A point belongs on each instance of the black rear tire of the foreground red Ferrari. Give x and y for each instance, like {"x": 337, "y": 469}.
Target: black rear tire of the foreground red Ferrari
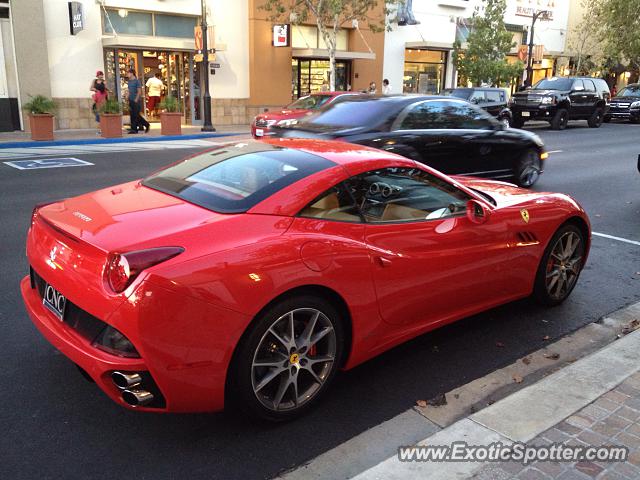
{"x": 242, "y": 380}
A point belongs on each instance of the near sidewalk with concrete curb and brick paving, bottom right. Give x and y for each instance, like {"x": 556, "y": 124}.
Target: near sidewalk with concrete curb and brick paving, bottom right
{"x": 592, "y": 401}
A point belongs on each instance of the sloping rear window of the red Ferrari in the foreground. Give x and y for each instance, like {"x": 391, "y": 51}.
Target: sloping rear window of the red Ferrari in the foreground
{"x": 234, "y": 178}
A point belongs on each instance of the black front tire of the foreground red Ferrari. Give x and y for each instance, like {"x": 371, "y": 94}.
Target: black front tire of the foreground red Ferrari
{"x": 542, "y": 289}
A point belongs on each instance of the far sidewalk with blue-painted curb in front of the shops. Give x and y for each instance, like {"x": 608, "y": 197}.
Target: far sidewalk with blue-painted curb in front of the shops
{"x": 73, "y": 137}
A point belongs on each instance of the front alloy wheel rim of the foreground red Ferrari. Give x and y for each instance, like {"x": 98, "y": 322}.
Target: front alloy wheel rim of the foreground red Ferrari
{"x": 564, "y": 265}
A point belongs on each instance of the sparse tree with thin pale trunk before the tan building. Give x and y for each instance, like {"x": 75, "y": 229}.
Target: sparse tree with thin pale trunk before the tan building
{"x": 330, "y": 16}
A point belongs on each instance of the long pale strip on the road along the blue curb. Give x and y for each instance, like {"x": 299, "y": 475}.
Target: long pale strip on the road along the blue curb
{"x": 32, "y": 152}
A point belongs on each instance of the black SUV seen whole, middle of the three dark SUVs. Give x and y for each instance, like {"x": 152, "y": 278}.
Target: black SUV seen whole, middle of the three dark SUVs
{"x": 558, "y": 100}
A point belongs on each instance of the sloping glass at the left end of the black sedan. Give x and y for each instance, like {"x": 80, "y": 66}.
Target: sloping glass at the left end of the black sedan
{"x": 354, "y": 113}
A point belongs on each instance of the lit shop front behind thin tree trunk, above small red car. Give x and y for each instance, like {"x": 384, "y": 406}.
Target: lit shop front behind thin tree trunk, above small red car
{"x": 312, "y": 75}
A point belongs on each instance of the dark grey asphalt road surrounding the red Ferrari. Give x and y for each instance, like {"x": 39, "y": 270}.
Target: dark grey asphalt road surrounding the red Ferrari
{"x": 56, "y": 425}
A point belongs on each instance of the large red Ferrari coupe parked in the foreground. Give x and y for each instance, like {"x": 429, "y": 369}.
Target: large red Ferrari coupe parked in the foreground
{"x": 251, "y": 273}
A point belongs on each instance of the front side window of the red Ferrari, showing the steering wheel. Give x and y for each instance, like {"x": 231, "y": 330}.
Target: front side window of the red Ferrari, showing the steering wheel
{"x": 404, "y": 194}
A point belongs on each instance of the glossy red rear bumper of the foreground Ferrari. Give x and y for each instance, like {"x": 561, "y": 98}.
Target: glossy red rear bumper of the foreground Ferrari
{"x": 185, "y": 352}
